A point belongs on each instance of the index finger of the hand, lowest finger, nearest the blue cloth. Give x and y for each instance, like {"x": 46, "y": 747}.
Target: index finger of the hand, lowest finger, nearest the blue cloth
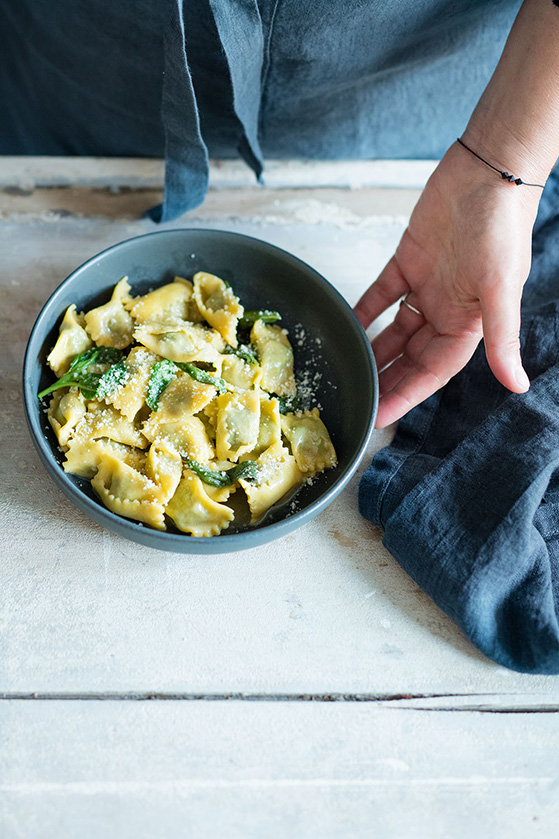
{"x": 429, "y": 362}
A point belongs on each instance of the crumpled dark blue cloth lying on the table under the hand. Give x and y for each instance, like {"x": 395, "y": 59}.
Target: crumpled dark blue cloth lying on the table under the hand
{"x": 467, "y": 494}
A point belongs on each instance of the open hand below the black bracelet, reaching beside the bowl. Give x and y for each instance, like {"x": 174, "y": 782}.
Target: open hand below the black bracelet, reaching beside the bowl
{"x": 463, "y": 259}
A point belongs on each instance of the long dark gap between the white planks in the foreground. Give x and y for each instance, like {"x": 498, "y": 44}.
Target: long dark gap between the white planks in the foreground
{"x": 483, "y": 703}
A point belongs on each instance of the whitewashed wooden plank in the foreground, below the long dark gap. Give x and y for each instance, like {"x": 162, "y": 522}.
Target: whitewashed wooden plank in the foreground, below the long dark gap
{"x": 243, "y": 770}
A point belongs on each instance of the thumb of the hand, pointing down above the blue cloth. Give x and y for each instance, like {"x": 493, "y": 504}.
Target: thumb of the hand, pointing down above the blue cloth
{"x": 500, "y": 308}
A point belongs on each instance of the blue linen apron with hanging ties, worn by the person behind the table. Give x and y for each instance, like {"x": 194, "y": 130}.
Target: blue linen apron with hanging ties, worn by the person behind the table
{"x": 278, "y": 78}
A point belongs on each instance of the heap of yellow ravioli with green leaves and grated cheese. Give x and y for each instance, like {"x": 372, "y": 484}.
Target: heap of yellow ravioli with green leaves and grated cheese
{"x": 191, "y": 418}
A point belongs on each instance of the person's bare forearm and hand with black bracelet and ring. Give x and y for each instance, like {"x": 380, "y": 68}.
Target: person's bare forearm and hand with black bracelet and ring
{"x": 466, "y": 253}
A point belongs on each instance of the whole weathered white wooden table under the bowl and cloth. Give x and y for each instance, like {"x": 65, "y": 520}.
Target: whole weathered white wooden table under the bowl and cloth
{"x": 307, "y": 688}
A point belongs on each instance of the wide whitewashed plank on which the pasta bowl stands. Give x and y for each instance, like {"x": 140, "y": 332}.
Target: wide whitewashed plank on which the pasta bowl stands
{"x": 325, "y": 610}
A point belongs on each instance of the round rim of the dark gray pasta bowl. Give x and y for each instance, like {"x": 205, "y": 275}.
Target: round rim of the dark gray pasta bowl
{"x": 169, "y": 541}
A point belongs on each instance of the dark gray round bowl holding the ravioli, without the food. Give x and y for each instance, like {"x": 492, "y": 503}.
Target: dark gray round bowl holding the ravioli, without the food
{"x": 263, "y": 276}
